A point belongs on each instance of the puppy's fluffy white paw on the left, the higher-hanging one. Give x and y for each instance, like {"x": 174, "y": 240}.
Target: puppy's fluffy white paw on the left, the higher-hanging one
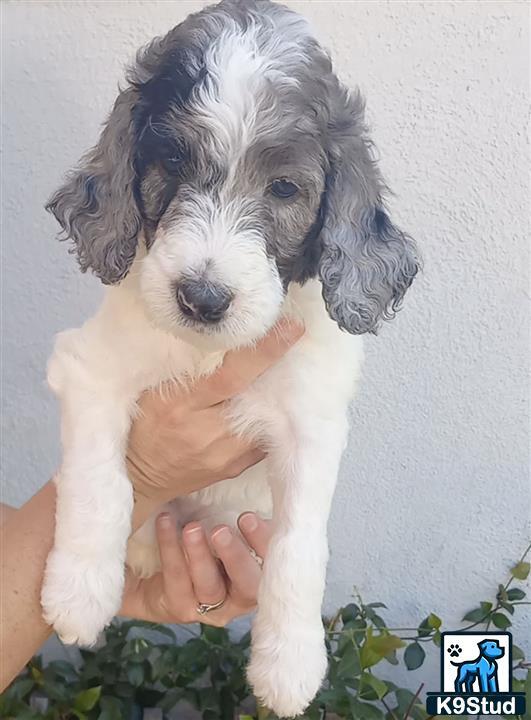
{"x": 81, "y": 595}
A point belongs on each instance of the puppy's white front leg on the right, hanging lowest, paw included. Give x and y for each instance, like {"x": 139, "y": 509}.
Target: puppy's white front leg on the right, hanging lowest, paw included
{"x": 288, "y": 660}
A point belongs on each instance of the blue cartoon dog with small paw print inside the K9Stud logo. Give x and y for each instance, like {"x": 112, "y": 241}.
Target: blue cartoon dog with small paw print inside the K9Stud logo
{"x": 484, "y": 668}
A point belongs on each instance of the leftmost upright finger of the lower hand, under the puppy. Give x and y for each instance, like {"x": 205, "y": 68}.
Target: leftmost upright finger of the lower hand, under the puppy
{"x": 173, "y": 563}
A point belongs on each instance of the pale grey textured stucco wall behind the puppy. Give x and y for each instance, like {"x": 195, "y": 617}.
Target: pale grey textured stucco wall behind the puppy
{"x": 434, "y": 498}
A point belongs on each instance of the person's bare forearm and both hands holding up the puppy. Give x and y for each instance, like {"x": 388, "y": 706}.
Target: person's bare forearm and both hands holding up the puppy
{"x": 179, "y": 443}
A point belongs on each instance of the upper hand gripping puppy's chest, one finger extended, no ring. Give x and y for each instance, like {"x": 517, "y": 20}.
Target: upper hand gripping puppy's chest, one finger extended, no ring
{"x": 180, "y": 442}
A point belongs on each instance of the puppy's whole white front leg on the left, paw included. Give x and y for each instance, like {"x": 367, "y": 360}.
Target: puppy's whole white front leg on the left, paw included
{"x": 84, "y": 575}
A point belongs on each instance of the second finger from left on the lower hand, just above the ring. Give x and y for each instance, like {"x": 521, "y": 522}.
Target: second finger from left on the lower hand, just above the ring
{"x": 207, "y": 579}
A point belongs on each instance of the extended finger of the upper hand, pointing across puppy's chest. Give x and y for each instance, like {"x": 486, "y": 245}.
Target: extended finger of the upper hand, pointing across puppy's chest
{"x": 241, "y": 367}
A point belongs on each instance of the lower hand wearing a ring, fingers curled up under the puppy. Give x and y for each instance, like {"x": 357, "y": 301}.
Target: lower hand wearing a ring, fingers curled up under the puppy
{"x": 191, "y": 574}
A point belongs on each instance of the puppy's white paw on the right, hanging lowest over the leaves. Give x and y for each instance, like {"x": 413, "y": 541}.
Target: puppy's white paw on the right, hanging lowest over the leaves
{"x": 288, "y": 665}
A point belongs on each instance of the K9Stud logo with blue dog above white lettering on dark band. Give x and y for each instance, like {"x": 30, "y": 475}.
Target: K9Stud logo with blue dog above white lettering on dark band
{"x": 476, "y": 676}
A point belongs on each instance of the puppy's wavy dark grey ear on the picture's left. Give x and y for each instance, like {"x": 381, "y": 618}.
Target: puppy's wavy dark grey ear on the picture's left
{"x": 96, "y": 206}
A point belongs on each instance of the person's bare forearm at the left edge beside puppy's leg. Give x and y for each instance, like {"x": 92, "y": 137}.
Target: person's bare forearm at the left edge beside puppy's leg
{"x": 25, "y": 540}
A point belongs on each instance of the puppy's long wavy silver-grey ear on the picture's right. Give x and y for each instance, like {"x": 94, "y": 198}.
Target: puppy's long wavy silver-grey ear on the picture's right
{"x": 366, "y": 264}
